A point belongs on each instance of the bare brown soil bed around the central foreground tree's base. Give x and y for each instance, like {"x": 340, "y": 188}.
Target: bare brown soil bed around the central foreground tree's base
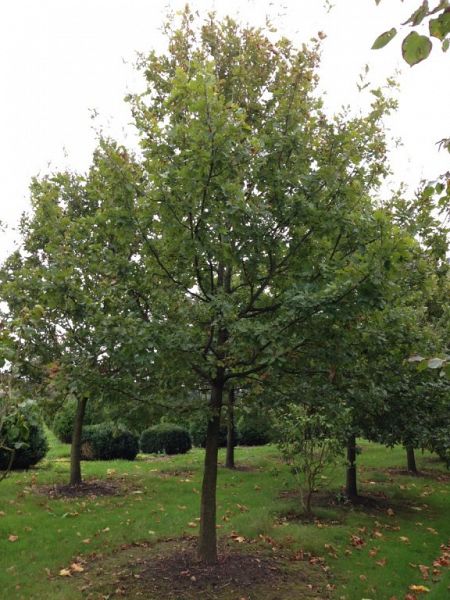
{"x": 170, "y": 570}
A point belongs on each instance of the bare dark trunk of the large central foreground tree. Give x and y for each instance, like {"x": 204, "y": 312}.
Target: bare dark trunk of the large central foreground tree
{"x": 207, "y": 547}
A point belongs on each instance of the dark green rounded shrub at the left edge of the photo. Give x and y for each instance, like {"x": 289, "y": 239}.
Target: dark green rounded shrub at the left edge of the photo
{"x": 24, "y": 433}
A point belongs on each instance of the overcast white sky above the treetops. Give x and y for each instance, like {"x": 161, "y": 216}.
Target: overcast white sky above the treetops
{"x": 61, "y": 58}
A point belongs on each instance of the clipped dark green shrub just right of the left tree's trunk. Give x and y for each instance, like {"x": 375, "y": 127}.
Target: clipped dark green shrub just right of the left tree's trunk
{"x": 105, "y": 442}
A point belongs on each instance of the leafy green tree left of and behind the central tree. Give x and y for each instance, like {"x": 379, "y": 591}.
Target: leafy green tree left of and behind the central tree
{"x": 65, "y": 293}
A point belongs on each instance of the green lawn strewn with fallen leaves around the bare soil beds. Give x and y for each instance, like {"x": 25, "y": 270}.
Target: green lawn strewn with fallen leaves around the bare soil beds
{"x": 161, "y": 500}
